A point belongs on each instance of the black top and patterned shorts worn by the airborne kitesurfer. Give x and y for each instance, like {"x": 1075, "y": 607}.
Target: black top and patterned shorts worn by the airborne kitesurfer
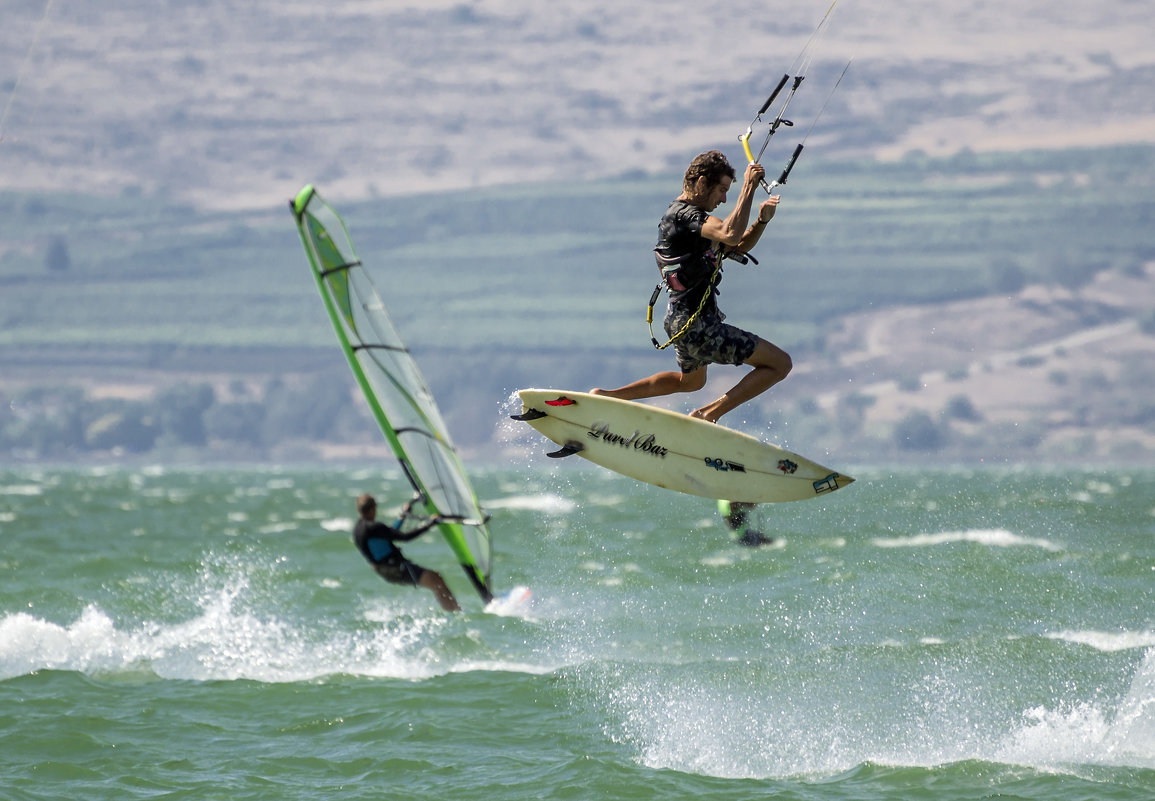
{"x": 691, "y": 272}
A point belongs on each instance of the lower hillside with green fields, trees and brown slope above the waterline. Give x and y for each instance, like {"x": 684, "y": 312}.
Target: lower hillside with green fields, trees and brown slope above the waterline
{"x": 972, "y": 308}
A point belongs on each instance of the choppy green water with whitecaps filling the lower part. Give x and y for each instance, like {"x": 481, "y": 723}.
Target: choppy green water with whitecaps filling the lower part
{"x": 923, "y": 634}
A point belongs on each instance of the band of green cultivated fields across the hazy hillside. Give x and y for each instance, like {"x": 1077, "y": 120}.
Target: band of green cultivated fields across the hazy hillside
{"x": 570, "y": 267}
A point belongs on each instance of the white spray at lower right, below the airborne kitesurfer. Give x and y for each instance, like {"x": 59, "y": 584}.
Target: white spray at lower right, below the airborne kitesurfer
{"x": 739, "y": 732}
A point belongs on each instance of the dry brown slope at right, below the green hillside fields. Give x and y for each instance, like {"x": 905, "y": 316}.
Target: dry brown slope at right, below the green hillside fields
{"x": 1071, "y": 366}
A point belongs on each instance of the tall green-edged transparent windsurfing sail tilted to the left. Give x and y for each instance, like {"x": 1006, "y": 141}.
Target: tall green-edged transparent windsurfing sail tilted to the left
{"x": 394, "y": 388}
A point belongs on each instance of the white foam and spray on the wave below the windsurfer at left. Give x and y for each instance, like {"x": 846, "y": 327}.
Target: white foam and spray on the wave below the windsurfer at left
{"x": 227, "y": 641}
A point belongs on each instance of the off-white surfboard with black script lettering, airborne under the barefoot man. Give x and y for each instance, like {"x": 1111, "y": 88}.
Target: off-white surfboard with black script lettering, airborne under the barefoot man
{"x": 673, "y": 451}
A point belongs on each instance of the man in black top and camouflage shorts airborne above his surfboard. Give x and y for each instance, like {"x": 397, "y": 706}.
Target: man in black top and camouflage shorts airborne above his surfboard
{"x": 690, "y": 249}
